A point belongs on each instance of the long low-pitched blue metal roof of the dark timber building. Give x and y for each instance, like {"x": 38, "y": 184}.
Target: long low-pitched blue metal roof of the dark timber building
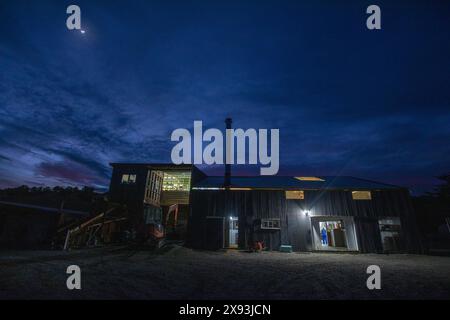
{"x": 281, "y": 182}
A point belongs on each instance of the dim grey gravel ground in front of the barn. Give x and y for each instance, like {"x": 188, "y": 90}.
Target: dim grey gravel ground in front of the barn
{"x": 180, "y": 273}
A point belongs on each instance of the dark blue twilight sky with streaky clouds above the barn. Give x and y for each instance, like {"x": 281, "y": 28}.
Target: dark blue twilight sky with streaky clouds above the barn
{"x": 373, "y": 104}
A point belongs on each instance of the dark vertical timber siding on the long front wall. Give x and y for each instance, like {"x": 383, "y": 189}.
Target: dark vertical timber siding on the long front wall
{"x": 295, "y": 229}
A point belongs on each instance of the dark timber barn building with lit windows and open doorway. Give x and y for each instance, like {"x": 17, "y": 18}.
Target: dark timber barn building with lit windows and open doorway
{"x": 322, "y": 213}
